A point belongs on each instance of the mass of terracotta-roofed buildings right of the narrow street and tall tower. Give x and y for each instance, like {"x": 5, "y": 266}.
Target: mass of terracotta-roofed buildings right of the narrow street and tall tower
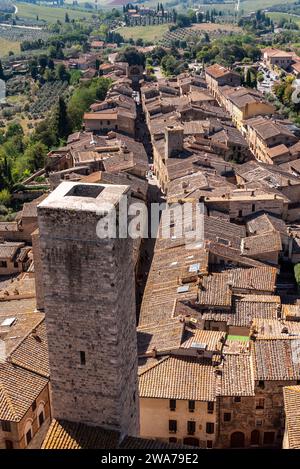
{"x": 218, "y": 332}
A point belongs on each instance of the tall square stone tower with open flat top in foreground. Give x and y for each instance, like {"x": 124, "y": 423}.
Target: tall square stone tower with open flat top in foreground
{"x": 89, "y": 297}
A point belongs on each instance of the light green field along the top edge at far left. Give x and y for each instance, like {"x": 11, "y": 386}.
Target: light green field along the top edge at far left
{"x": 49, "y": 14}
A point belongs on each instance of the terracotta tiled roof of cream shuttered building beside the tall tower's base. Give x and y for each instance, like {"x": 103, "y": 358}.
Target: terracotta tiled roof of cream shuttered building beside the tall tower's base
{"x": 179, "y": 378}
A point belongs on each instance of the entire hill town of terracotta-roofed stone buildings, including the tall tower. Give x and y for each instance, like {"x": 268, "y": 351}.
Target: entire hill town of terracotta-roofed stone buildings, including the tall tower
{"x": 213, "y": 359}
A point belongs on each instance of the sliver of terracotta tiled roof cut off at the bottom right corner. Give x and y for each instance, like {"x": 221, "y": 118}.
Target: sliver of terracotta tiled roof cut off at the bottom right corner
{"x": 291, "y": 396}
